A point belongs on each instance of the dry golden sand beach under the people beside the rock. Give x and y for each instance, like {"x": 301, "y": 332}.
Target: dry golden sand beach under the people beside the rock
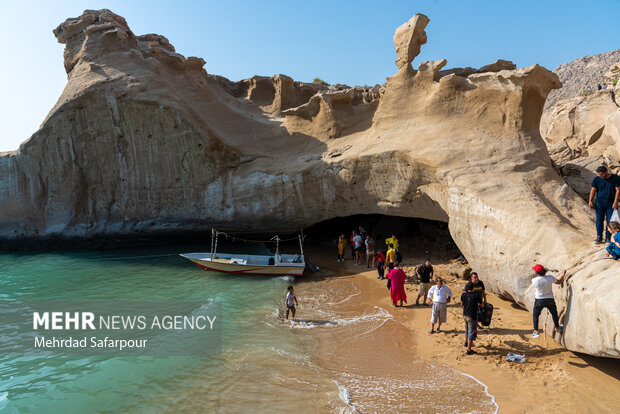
{"x": 552, "y": 378}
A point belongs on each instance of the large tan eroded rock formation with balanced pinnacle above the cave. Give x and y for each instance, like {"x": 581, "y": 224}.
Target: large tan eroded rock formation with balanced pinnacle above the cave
{"x": 143, "y": 140}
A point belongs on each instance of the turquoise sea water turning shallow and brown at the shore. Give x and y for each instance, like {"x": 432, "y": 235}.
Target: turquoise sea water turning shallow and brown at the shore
{"x": 325, "y": 361}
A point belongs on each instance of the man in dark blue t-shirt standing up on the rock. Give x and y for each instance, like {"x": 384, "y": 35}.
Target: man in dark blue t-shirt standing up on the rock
{"x": 606, "y": 188}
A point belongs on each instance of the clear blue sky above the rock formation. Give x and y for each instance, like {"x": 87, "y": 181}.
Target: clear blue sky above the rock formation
{"x": 340, "y": 41}
